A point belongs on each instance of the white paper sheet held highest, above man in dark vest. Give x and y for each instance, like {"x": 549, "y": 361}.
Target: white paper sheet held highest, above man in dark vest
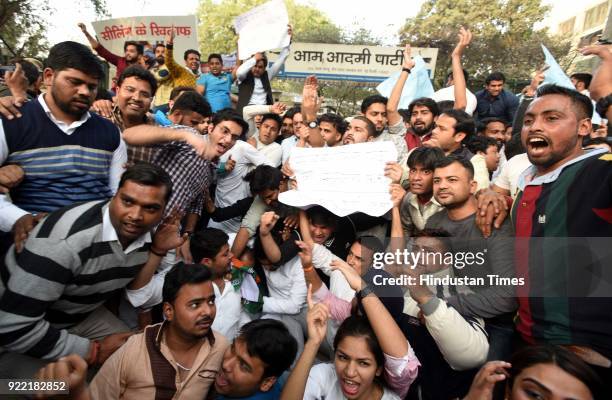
{"x": 262, "y": 28}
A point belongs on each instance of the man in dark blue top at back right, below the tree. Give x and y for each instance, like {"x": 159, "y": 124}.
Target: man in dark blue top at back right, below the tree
{"x": 495, "y": 101}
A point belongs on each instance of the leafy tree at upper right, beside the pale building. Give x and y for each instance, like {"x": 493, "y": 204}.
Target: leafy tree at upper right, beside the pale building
{"x": 505, "y": 38}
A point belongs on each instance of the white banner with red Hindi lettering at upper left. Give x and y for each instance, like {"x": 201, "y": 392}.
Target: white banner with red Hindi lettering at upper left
{"x": 113, "y": 33}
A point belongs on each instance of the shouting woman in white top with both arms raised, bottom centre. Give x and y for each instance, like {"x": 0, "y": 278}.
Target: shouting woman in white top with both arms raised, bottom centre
{"x": 372, "y": 358}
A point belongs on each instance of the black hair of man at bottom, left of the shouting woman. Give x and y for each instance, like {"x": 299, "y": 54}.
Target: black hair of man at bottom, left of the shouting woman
{"x": 271, "y": 342}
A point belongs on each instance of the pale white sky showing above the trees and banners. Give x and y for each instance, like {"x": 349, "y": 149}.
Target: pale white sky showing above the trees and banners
{"x": 384, "y": 20}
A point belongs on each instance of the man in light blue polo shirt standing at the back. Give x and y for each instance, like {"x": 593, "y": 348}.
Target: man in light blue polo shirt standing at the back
{"x": 216, "y": 85}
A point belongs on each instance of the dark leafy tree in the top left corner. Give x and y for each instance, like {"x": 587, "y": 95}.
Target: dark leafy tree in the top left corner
{"x": 23, "y": 29}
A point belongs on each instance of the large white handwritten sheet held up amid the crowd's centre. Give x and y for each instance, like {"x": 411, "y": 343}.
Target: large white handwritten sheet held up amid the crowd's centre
{"x": 344, "y": 179}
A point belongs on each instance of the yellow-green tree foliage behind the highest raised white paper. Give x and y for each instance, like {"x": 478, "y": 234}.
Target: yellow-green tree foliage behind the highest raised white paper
{"x": 216, "y": 24}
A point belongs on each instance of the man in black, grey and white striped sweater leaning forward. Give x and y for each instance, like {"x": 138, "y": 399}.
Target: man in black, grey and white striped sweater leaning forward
{"x": 52, "y": 293}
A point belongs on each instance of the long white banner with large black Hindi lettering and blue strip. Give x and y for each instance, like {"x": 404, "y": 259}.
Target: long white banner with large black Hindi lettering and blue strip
{"x": 350, "y": 62}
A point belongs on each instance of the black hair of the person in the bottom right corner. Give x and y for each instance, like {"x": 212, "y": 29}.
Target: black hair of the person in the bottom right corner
{"x": 559, "y": 356}
